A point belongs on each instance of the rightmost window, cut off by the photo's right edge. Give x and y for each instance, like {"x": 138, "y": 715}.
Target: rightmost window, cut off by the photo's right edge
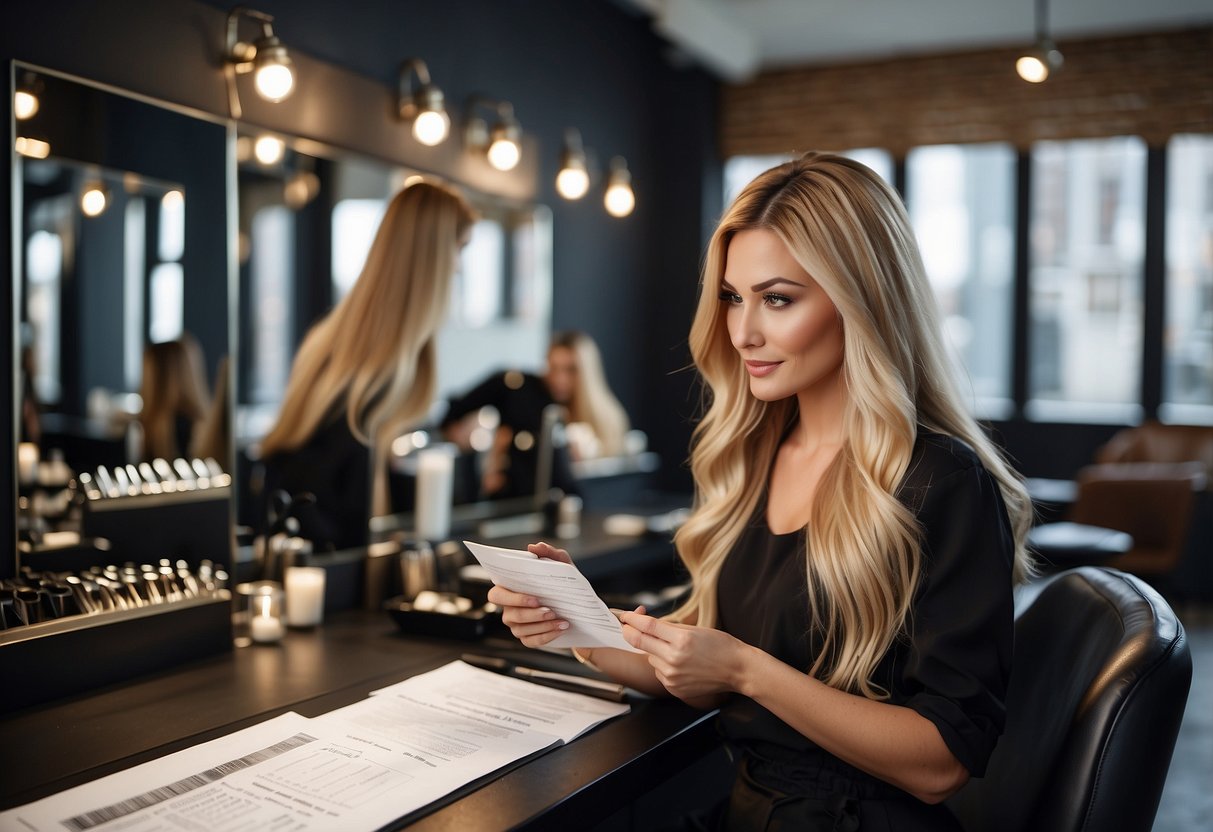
{"x": 1188, "y": 340}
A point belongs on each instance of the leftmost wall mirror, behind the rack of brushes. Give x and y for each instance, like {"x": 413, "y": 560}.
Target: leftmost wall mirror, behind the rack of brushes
{"x": 122, "y": 307}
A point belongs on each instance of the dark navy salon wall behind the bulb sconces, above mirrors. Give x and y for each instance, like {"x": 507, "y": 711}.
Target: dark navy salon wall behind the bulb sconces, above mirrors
{"x": 631, "y": 283}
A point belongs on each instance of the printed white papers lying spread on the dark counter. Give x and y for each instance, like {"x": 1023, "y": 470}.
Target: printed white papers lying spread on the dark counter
{"x": 358, "y": 768}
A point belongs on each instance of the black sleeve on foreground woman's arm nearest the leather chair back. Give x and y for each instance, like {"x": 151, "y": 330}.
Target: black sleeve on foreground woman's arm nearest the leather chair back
{"x": 963, "y": 624}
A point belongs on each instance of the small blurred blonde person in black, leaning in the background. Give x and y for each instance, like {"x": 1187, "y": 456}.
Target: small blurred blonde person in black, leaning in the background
{"x": 576, "y": 384}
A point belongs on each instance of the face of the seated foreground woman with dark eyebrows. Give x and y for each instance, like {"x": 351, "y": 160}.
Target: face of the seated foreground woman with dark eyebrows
{"x": 782, "y": 323}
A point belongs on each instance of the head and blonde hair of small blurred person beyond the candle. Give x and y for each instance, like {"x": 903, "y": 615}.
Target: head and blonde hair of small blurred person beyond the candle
{"x": 577, "y": 380}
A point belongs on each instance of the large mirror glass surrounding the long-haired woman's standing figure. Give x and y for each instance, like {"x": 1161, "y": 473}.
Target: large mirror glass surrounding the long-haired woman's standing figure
{"x": 307, "y": 216}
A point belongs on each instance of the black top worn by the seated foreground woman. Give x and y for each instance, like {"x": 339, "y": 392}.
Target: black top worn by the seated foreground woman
{"x": 955, "y": 665}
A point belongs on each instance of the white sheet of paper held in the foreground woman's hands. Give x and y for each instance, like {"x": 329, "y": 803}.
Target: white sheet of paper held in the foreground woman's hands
{"x": 561, "y": 588}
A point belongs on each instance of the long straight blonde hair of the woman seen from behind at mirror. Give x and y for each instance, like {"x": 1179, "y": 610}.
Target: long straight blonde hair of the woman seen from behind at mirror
{"x": 373, "y": 356}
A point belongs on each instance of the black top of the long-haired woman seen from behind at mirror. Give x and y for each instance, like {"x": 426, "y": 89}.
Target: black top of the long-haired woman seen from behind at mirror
{"x": 335, "y": 468}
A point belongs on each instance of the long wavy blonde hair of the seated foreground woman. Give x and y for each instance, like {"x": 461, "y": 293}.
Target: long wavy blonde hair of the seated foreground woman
{"x": 850, "y": 231}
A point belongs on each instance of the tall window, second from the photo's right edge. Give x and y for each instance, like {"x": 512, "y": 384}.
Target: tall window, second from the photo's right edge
{"x": 1087, "y": 240}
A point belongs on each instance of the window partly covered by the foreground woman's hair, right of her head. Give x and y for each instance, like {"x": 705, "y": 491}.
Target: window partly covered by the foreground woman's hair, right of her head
{"x": 963, "y": 207}
